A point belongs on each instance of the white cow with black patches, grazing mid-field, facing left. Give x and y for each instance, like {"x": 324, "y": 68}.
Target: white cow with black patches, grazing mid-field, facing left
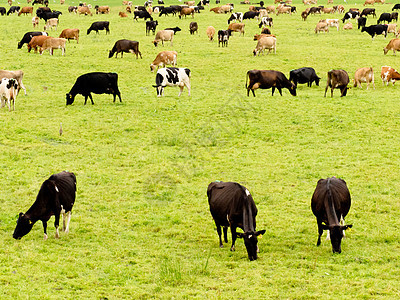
{"x": 172, "y": 76}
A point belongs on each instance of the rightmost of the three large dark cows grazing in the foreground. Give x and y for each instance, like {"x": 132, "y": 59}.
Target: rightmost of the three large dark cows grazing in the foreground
{"x": 330, "y": 204}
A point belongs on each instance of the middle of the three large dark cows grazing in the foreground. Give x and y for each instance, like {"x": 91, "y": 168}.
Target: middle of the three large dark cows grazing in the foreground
{"x": 231, "y": 205}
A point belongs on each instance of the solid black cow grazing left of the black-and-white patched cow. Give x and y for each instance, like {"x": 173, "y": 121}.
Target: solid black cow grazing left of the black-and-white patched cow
{"x": 96, "y": 82}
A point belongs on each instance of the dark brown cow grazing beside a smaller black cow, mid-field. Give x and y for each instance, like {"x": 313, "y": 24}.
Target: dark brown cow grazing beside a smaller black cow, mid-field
{"x": 266, "y": 79}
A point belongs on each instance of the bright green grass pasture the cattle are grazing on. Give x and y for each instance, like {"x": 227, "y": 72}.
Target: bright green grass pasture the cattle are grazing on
{"x": 141, "y": 226}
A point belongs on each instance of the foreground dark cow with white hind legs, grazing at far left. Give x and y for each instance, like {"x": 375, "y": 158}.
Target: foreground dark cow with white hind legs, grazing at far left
{"x": 56, "y": 195}
